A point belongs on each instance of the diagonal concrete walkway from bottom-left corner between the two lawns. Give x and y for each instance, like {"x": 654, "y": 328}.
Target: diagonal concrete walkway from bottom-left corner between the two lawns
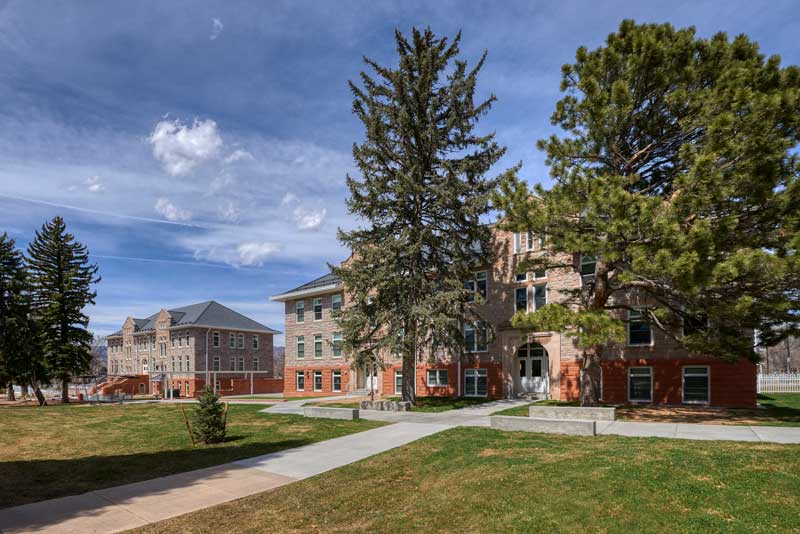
{"x": 134, "y": 505}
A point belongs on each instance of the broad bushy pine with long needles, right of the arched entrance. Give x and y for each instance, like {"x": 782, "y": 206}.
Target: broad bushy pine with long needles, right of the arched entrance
{"x": 676, "y": 171}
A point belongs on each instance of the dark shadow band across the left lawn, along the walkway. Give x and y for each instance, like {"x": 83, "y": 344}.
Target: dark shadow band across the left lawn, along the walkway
{"x": 28, "y": 481}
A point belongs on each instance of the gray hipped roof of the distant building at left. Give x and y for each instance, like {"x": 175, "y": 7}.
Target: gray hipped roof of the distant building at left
{"x": 211, "y": 313}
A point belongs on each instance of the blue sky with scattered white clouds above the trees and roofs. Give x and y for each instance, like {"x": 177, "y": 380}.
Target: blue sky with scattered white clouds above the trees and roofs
{"x": 200, "y": 149}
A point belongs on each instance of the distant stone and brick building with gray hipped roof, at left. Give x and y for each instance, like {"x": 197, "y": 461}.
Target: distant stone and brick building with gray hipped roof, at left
{"x": 182, "y": 347}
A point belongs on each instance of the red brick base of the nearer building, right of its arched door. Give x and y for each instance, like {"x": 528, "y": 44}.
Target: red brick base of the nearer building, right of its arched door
{"x": 732, "y": 384}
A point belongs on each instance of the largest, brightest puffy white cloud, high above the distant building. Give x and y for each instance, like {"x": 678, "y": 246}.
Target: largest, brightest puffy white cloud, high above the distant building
{"x": 180, "y": 148}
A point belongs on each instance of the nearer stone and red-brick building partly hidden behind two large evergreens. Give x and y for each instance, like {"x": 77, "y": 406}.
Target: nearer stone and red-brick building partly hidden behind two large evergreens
{"x": 650, "y": 367}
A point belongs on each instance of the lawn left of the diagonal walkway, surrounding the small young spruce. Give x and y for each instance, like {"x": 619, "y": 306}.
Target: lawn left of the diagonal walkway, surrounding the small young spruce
{"x": 66, "y": 450}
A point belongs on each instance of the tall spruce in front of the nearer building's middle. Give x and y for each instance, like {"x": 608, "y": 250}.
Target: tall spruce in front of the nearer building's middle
{"x": 421, "y": 193}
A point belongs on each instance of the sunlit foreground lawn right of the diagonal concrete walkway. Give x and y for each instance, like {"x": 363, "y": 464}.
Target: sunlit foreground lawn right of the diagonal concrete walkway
{"x": 482, "y": 480}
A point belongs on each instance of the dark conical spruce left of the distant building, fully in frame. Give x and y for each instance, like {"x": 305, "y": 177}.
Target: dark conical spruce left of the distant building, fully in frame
{"x": 61, "y": 278}
